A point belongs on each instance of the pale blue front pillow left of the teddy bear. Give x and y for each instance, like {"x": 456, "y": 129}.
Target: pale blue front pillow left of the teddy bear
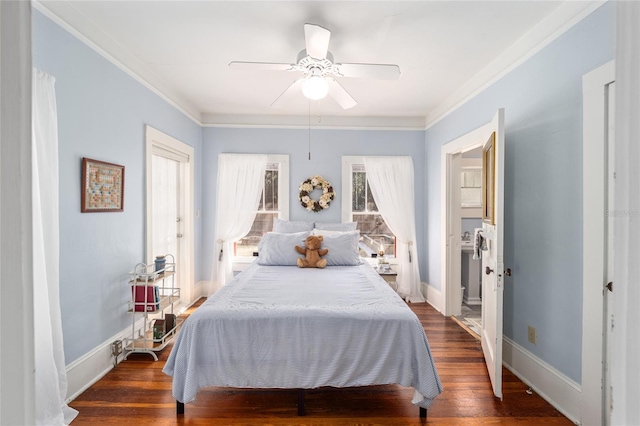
{"x": 278, "y": 249}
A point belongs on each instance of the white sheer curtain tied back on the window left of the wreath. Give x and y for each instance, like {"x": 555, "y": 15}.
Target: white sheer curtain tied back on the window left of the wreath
{"x": 240, "y": 183}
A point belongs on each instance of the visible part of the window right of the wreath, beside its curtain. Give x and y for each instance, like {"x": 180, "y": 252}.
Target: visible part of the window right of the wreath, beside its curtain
{"x": 360, "y": 206}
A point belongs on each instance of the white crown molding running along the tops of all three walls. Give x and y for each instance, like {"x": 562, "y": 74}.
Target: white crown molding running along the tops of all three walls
{"x": 564, "y": 17}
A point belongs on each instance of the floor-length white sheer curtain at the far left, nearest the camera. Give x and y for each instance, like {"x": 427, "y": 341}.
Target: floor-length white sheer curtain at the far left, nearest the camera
{"x": 51, "y": 376}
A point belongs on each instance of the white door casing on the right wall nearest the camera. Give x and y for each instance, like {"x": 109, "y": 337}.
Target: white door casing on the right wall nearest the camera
{"x": 598, "y": 140}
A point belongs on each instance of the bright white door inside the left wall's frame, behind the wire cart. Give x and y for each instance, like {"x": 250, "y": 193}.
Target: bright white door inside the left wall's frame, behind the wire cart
{"x": 166, "y": 212}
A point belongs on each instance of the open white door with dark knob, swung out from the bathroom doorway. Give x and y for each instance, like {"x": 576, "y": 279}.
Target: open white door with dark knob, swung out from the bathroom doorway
{"x": 492, "y": 261}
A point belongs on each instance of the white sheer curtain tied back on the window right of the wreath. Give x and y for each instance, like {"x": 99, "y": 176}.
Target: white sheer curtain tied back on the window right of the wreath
{"x": 392, "y": 186}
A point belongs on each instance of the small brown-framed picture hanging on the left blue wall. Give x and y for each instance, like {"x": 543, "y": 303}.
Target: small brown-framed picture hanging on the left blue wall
{"x": 102, "y": 187}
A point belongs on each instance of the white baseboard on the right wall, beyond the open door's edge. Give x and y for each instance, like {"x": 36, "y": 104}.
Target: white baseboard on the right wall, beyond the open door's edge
{"x": 553, "y": 386}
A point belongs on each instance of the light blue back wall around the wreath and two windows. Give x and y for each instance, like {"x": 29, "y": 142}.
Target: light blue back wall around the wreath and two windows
{"x": 327, "y": 149}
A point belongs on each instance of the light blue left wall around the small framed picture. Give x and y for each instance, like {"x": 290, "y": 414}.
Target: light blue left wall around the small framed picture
{"x": 101, "y": 114}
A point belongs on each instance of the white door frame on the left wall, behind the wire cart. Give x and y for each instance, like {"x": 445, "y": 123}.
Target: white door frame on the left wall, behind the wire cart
{"x": 159, "y": 141}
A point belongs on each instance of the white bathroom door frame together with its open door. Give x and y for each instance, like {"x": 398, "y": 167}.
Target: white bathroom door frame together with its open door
{"x": 491, "y": 138}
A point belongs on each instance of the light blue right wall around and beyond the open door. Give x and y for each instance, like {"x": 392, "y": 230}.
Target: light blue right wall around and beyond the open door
{"x": 543, "y": 187}
